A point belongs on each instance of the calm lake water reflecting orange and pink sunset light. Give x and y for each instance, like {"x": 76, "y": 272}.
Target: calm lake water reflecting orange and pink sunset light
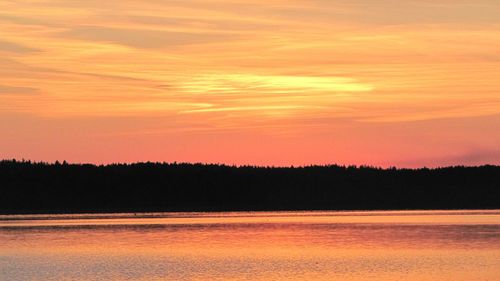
{"x": 416, "y": 245}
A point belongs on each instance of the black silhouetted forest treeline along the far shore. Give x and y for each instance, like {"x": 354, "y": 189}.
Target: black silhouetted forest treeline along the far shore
{"x": 27, "y": 187}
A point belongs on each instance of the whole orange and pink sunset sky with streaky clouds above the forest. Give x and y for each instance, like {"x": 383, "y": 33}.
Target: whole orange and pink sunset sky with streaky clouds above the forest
{"x": 401, "y": 83}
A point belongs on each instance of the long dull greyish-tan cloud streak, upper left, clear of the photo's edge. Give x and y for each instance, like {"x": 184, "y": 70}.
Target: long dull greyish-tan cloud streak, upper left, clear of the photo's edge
{"x": 144, "y": 38}
